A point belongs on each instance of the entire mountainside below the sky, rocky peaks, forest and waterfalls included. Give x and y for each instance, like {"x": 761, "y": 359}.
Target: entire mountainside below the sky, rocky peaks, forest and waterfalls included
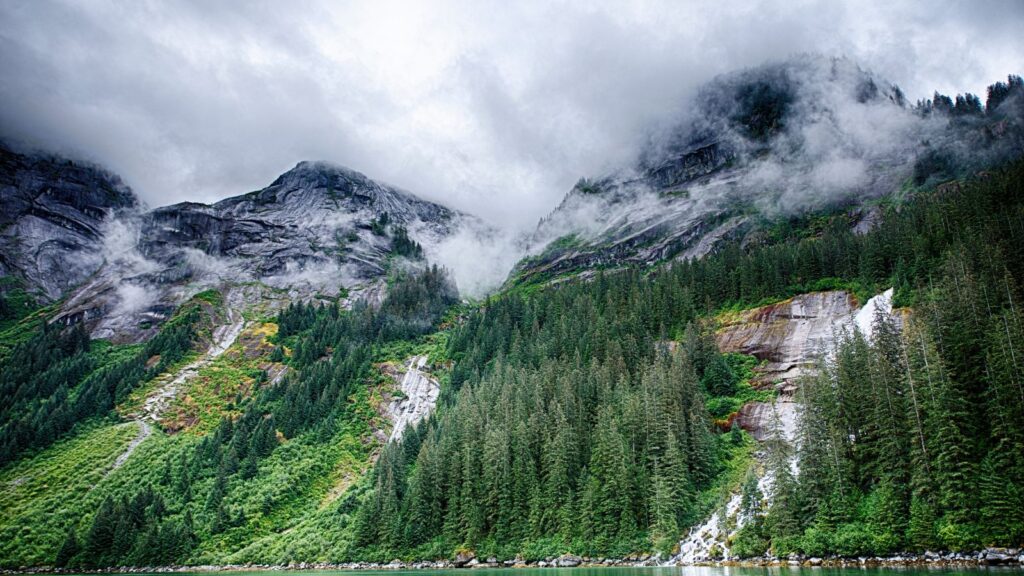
{"x": 792, "y": 331}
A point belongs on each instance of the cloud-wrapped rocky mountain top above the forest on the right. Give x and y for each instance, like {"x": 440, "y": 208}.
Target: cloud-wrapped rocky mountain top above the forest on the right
{"x": 779, "y": 141}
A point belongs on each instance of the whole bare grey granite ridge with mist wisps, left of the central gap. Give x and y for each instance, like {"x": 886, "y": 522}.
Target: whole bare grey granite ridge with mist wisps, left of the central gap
{"x": 78, "y": 234}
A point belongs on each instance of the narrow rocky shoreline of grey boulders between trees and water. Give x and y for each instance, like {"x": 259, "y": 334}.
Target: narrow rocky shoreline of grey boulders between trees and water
{"x": 989, "y": 557}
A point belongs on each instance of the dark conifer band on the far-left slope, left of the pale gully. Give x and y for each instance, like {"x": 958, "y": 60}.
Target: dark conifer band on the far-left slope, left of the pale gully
{"x": 56, "y": 380}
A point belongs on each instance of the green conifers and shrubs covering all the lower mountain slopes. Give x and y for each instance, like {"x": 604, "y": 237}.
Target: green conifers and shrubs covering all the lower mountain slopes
{"x": 578, "y": 418}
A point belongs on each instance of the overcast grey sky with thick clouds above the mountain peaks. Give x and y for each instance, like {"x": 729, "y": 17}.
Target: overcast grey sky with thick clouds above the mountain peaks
{"x": 492, "y": 108}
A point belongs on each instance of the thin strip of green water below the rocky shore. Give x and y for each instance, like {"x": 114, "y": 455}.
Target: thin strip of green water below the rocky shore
{"x": 668, "y": 571}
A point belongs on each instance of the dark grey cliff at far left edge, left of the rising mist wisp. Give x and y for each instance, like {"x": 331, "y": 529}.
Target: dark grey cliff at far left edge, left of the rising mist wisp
{"x": 53, "y": 215}
